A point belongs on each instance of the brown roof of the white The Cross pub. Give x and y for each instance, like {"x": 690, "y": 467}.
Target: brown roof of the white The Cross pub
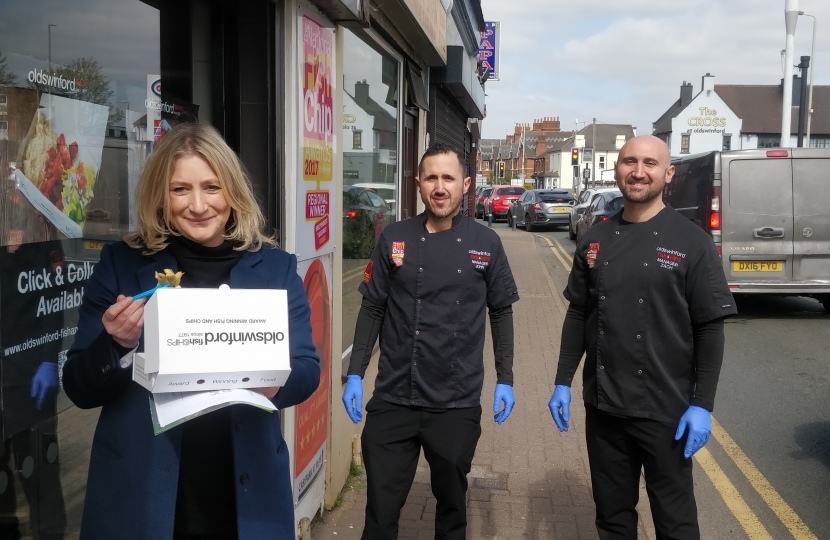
{"x": 759, "y": 106}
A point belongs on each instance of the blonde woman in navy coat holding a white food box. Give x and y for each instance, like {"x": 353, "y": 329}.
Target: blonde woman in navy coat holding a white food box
{"x": 223, "y": 475}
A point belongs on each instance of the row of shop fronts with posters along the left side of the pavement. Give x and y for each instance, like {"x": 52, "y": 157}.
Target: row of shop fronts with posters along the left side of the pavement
{"x": 329, "y": 104}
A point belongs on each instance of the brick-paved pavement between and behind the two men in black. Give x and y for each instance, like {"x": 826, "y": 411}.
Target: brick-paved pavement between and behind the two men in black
{"x": 527, "y": 479}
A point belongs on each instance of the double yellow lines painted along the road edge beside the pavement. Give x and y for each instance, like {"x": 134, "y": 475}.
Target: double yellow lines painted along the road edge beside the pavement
{"x": 733, "y": 499}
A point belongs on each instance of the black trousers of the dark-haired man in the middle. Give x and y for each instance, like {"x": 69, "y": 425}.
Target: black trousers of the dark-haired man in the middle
{"x": 392, "y": 441}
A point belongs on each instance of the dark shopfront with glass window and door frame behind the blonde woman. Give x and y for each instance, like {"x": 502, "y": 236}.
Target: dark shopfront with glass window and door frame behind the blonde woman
{"x": 84, "y": 95}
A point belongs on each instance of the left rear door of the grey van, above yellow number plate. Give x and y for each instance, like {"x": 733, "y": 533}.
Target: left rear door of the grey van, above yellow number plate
{"x": 757, "y": 220}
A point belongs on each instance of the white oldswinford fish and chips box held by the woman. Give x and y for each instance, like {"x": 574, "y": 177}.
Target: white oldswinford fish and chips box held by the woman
{"x": 214, "y": 339}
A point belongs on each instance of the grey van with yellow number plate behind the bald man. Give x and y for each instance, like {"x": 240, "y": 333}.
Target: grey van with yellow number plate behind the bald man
{"x": 767, "y": 210}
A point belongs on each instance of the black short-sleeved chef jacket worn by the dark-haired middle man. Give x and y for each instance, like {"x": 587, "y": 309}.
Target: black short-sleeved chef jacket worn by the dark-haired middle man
{"x": 435, "y": 287}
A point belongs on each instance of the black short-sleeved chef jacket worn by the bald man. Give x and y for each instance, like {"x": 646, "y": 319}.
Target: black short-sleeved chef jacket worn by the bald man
{"x": 643, "y": 286}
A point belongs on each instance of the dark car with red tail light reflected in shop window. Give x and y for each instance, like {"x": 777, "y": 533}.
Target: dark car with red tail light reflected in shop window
{"x": 365, "y": 214}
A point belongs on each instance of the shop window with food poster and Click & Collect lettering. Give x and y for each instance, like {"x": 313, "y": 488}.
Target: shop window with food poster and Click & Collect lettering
{"x": 76, "y": 127}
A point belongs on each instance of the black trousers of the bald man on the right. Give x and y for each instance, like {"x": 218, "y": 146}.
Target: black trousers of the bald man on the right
{"x": 617, "y": 450}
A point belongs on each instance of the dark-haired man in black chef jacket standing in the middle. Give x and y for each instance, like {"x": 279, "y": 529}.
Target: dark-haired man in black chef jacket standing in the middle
{"x": 424, "y": 292}
